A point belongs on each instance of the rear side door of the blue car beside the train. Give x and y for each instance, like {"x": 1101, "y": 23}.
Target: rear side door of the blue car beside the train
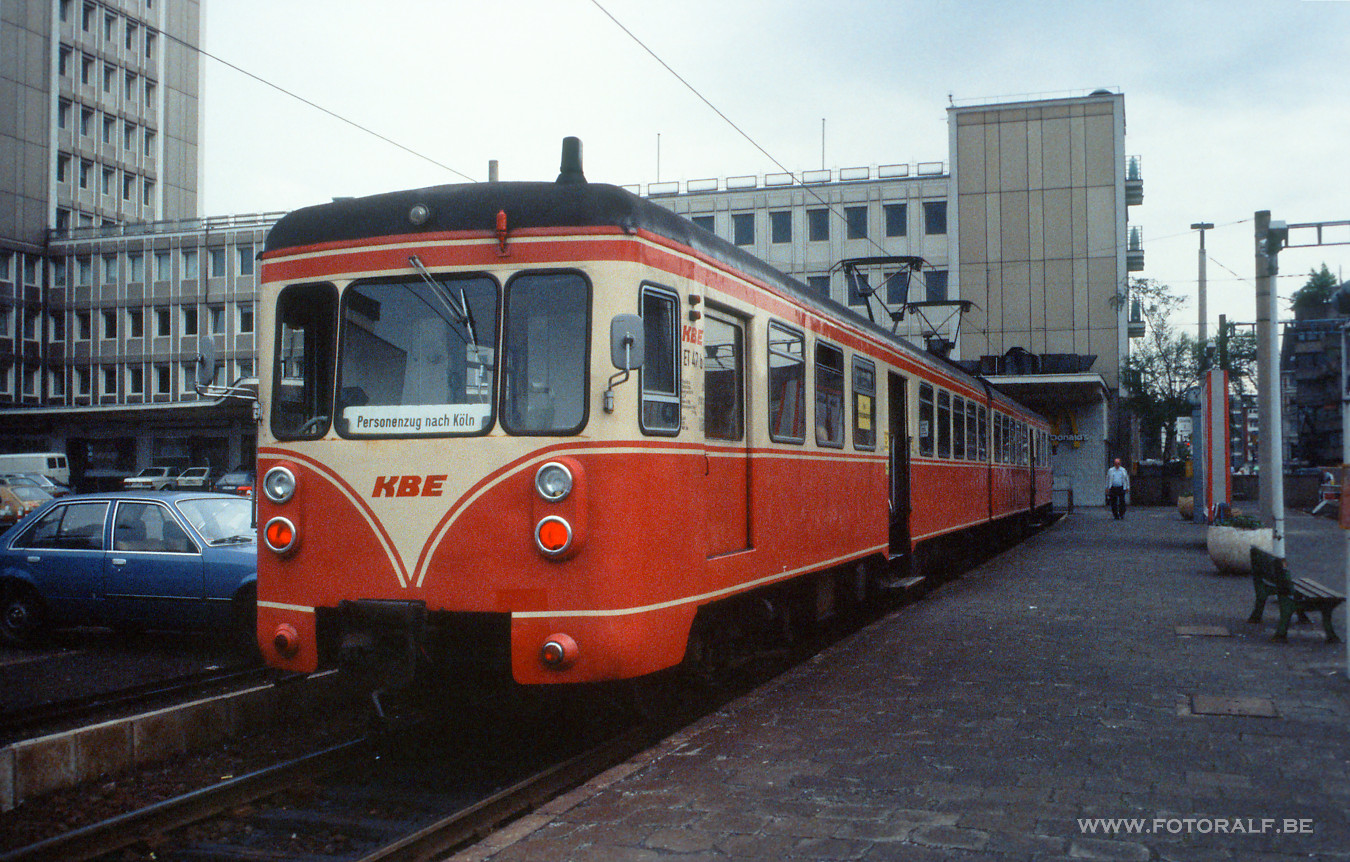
{"x": 63, "y": 554}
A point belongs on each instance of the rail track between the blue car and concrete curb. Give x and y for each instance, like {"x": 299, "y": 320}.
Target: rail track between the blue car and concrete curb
{"x": 61, "y": 716}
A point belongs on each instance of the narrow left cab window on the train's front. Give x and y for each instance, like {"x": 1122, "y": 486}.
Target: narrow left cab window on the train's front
{"x": 303, "y": 370}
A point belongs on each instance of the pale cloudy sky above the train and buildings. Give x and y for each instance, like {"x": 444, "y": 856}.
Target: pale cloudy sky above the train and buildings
{"x": 1233, "y": 106}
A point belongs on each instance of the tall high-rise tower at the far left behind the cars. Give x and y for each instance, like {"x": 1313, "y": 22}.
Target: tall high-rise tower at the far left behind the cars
{"x": 101, "y": 113}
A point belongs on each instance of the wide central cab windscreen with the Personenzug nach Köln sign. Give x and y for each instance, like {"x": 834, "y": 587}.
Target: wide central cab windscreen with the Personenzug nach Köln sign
{"x": 419, "y": 357}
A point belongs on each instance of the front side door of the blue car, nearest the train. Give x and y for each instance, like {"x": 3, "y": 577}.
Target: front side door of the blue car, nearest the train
{"x": 155, "y": 575}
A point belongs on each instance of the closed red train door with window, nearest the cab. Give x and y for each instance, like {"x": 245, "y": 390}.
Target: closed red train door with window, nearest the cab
{"x": 727, "y": 455}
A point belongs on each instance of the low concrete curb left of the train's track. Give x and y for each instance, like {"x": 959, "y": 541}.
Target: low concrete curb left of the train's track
{"x": 36, "y": 767}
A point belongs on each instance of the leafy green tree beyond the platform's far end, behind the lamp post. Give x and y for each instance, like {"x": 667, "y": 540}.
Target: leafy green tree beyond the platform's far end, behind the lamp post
{"x": 1162, "y": 369}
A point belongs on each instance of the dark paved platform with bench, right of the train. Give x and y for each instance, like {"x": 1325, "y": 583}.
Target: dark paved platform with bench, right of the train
{"x": 1093, "y": 694}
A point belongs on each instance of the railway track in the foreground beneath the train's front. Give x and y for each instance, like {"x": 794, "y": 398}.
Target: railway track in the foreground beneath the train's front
{"x": 342, "y": 803}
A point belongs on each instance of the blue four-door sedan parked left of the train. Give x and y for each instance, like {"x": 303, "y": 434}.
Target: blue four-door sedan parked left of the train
{"x": 133, "y": 562}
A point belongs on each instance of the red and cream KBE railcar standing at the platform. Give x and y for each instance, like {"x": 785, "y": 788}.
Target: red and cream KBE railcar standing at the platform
{"x": 452, "y": 466}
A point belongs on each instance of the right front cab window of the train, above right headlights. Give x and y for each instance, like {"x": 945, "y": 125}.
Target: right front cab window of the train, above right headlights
{"x": 545, "y": 354}
